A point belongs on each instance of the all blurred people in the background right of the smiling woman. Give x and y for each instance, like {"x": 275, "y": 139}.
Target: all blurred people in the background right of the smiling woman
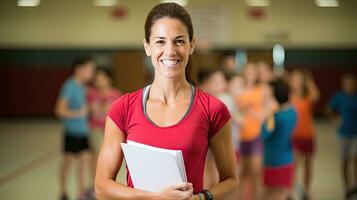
{"x": 273, "y": 131}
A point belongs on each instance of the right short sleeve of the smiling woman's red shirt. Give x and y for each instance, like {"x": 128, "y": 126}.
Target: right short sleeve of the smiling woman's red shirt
{"x": 218, "y": 115}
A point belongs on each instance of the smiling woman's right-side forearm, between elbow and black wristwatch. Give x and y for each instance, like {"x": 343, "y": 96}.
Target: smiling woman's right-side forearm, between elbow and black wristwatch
{"x": 223, "y": 189}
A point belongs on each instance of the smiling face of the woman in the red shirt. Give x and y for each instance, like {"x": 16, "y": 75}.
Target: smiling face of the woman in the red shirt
{"x": 169, "y": 47}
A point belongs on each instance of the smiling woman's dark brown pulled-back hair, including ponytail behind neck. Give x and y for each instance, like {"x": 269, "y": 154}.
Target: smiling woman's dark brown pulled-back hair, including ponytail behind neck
{"x": 175, "y": 11}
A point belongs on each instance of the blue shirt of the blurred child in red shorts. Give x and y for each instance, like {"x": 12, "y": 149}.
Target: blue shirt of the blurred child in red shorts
{"x": 278, "y": 149}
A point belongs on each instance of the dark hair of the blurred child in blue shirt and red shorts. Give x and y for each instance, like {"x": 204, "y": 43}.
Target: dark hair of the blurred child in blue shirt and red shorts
{"x": 281, "y": 90}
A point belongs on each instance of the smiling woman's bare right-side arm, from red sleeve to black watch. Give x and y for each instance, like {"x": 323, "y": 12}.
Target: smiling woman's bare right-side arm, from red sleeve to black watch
{"x": 222, "y": 148}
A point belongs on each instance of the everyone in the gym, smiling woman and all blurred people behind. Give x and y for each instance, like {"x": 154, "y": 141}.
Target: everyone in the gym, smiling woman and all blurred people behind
{"x": 252, "y": 125}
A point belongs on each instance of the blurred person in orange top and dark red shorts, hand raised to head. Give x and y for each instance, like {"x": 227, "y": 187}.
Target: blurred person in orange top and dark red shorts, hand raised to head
{"x": 304, "y": 94}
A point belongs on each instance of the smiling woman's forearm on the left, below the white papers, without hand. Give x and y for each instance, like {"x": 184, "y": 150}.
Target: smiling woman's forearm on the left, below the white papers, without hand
{"x": 109, "y": 189}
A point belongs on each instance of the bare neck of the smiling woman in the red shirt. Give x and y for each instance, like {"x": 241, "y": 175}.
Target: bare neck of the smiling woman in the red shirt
{"x": 169, "y": 90}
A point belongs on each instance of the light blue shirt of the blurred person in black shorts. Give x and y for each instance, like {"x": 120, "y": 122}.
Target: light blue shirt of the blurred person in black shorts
{"x": 75, "y": 94}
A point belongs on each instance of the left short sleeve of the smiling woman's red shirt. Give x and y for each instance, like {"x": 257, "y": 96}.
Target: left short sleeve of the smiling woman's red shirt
{"x": 118, "y": 112}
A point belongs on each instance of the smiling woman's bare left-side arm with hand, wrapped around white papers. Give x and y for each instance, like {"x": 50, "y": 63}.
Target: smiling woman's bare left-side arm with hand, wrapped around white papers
{"x": 109, "y": 161}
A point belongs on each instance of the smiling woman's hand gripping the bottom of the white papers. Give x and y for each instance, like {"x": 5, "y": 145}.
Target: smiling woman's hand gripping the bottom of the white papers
{"x": 183, "y": 191}
